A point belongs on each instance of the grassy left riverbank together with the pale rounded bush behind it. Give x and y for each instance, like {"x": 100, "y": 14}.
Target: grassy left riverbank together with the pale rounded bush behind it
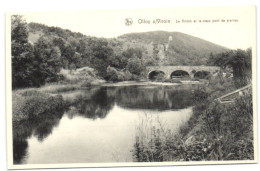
{"x": 32, "y": 102}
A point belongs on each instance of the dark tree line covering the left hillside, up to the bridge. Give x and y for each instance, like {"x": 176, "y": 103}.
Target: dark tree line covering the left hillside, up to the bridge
{"x": 39, "y": 62}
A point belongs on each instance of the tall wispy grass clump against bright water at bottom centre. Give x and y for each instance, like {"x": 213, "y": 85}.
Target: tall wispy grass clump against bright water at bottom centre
{"x": 153, "y": 140}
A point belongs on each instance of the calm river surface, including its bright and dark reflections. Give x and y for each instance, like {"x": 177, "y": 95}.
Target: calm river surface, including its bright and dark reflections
{"x": 100, "y": 125}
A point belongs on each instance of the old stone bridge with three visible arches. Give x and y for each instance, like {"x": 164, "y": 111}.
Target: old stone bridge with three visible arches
{"x": 181, "y": 71}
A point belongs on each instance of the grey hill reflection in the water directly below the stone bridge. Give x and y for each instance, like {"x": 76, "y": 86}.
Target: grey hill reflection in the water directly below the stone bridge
{"x": 159, "y": 98}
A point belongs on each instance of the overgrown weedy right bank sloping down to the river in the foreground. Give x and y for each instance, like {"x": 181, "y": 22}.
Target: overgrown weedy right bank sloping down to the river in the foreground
{"x": 215, "y": 131}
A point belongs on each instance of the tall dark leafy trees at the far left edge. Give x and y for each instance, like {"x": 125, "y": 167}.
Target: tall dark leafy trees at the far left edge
{"x": 32, "y": 65}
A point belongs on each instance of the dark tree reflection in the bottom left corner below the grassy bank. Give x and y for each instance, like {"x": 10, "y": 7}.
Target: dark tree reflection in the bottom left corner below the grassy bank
{"x": 40, "y": 126}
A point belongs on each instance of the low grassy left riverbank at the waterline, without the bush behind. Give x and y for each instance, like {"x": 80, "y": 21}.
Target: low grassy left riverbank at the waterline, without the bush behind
{"x": 31, "y": 102}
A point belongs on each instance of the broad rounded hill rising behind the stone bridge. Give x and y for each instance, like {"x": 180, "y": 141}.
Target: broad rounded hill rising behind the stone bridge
{"x": 173, "y": 48}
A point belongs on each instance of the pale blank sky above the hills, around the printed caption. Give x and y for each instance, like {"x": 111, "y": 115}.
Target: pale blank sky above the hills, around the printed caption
{"x": 109, "y": 24}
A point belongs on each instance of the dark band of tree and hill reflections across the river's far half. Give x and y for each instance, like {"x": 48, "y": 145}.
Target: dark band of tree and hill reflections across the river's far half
{"x": 103, "y": 99}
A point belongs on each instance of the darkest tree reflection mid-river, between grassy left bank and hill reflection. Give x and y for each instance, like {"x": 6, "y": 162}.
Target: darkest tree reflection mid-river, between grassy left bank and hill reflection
{"x": 95, "y": 107}
